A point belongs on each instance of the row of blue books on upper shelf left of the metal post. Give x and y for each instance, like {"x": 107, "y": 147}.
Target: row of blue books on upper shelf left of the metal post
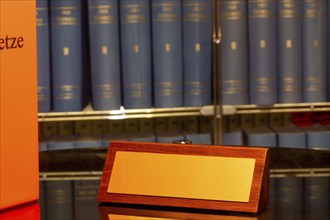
{"x": 130, "y": 53}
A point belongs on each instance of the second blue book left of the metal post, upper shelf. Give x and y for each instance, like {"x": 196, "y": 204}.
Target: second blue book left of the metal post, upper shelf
{"x": 167, "y": 53}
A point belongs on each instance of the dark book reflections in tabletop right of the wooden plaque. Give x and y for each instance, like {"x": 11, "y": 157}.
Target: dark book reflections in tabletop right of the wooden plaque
{"x": 294, "y": 197}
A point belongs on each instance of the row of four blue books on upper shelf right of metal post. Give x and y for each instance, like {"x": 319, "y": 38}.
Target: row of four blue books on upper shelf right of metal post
{"x": 275, "y": 51}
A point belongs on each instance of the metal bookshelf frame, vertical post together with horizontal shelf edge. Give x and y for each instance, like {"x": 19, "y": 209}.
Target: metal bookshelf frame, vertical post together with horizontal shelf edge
{"x": 216, "y": 111}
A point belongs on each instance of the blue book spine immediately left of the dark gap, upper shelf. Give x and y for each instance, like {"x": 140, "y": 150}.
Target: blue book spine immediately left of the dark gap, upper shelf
{"x": 67, "y": 54}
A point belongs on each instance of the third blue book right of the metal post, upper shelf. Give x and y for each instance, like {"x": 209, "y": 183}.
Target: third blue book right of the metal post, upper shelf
{"x": 289, "y": 51}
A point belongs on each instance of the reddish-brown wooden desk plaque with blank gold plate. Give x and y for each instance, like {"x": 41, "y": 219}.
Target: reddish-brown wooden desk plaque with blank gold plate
{"x": 191, "y": 176}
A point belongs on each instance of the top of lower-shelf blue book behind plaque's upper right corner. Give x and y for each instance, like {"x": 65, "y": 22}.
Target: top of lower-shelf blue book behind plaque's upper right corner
{"x": 261, "y": 137}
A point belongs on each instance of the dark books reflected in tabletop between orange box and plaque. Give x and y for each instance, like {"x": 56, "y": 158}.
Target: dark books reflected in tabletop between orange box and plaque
{"x": 67, "y": 199}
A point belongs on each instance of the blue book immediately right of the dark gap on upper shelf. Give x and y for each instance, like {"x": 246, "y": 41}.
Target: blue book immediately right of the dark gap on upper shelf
{"x": 104, "y": 54}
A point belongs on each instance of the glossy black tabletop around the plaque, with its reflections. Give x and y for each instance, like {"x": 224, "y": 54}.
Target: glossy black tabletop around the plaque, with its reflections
{"x": 292, "y": 195}
